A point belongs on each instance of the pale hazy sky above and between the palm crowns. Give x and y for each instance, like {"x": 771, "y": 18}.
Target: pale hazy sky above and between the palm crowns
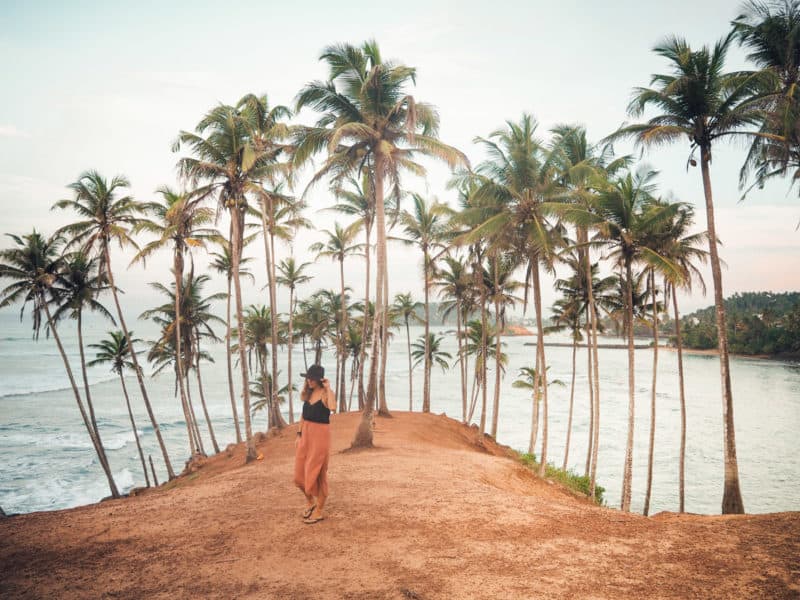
{"x": 108, "y": 86}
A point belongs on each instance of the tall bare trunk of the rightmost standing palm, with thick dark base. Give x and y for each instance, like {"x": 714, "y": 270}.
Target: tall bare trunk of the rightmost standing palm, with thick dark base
{"x": 732, "y": 496}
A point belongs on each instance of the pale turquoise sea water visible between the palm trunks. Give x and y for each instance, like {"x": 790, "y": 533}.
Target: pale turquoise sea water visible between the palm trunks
{"x": 47, "y": 462}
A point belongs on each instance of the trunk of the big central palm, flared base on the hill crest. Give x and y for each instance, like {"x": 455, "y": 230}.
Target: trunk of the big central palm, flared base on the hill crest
{"x": 363, "y": 436}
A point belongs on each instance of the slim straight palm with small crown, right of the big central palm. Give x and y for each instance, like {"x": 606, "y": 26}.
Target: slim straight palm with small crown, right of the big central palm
{"x": 425, "y": 227}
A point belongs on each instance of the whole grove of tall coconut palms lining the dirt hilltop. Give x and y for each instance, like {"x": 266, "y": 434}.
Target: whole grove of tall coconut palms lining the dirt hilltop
{"x": 537, "y": 202}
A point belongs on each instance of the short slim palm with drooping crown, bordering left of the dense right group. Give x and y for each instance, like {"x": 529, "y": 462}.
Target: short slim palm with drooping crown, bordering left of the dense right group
{"x": 455, "y": 289}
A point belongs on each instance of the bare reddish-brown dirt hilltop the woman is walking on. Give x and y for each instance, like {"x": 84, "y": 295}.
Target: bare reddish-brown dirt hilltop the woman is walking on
{"x": 431, "y": 512}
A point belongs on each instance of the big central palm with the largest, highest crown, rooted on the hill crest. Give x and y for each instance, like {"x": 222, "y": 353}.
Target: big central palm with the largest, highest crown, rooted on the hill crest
{"x": 369, "y": 123}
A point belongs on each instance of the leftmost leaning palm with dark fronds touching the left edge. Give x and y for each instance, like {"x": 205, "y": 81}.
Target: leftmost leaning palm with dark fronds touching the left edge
{"x": 34, "y": 266}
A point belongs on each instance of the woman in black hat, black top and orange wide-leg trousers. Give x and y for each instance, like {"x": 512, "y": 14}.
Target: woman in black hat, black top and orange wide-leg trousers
{"x": 313, "y": 442}
